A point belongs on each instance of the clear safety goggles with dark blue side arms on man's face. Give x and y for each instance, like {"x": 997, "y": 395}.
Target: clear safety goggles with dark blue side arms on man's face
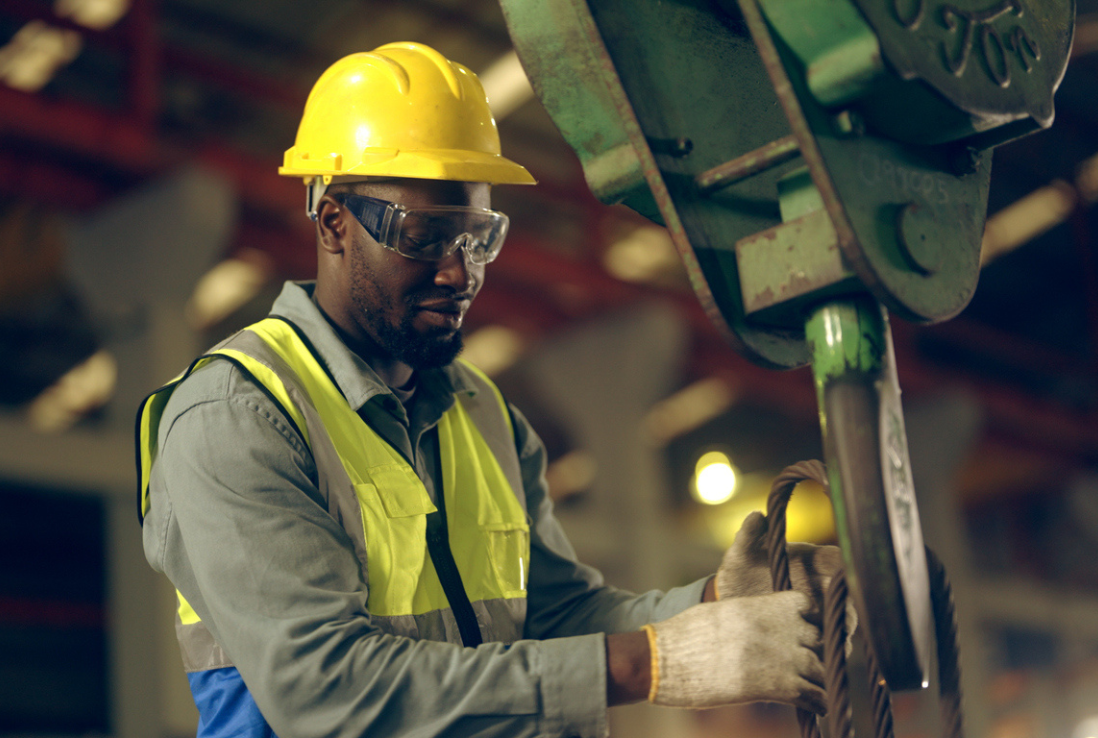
{"x": 430, "y": 234}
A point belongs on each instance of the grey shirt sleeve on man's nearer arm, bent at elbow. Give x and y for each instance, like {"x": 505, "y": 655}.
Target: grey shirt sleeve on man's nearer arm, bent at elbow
{"x": 240, "y": 527}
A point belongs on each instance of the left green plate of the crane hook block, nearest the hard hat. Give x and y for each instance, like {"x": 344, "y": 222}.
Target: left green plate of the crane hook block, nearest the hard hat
{"x": 663, "y": 72}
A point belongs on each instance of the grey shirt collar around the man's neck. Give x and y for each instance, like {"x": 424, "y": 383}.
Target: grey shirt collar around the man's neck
{"x": 355, "y": 378}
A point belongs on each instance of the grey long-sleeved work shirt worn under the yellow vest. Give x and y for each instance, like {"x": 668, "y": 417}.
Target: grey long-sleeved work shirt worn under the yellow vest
{"x": 240, "y": 528}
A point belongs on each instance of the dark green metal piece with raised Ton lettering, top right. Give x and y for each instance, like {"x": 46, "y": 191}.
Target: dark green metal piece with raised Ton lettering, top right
{"x": 992, "y": 65}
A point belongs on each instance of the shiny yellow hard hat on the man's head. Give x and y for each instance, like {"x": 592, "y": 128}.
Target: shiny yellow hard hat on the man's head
{"x": 402, "y": 110}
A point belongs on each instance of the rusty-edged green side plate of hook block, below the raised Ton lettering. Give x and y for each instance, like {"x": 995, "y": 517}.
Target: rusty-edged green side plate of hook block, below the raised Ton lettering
{"x": 865, "y": 181}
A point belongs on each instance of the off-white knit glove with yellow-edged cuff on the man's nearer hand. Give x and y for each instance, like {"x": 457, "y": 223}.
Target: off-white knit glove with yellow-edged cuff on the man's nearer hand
{"x": 747, "y": 650}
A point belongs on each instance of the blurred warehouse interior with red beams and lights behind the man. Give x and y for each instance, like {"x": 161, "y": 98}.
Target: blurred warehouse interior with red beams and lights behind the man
{"x": 142, "y": 219}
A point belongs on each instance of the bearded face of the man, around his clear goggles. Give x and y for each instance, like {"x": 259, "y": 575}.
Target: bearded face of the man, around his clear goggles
{"x": 412, "y": 309}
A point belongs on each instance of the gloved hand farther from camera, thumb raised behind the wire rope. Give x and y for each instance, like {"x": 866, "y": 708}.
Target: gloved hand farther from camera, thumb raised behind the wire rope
{"x": 745, "y": 571}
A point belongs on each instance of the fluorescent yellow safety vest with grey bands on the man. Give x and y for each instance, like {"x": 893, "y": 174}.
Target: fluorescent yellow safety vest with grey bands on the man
{"x": 379, "y": 498}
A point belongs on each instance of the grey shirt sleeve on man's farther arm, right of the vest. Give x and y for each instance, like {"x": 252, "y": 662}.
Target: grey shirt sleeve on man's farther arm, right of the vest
{"x": 567, "y": 598}
